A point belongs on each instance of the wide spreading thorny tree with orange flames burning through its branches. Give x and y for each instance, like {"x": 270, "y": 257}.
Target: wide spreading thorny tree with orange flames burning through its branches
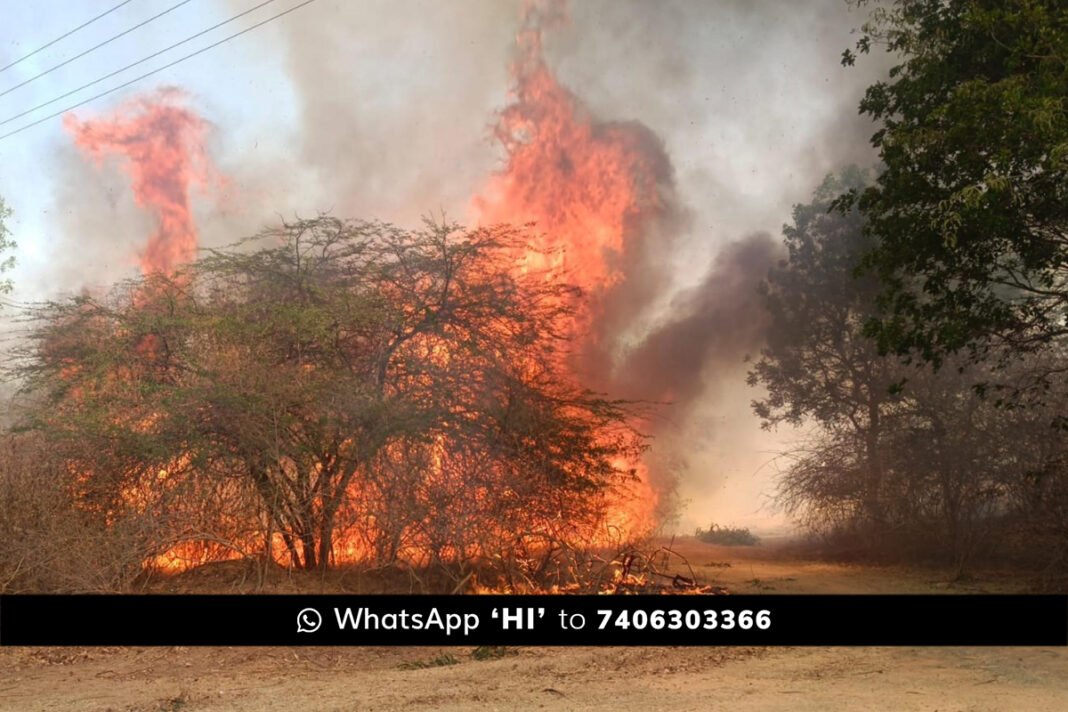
{"x": 351, "y": 392}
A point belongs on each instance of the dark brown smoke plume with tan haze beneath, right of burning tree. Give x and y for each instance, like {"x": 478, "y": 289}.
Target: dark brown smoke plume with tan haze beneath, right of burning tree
{"x": 688, "y": 362}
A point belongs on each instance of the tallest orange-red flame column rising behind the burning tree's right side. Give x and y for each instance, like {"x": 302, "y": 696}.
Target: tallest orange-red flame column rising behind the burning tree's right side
{"x": 588, "y": 187}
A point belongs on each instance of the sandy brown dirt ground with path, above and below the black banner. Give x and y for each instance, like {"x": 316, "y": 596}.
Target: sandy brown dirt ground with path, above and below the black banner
{"x": 735, "y": 679}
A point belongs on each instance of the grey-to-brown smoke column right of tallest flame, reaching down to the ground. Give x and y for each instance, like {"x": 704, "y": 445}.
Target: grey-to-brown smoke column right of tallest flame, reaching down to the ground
{"x": 753, "y": 109}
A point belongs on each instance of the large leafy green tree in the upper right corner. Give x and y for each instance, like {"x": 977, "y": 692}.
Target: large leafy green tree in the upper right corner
{"x": 972, "y": 205}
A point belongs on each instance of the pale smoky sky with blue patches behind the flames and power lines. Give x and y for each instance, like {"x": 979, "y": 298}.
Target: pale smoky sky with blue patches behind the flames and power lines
{"x": 383, "y": 109}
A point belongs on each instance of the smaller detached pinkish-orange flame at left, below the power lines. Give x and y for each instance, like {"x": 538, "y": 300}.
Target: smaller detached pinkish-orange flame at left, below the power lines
{"x": 163, "y": 145}
